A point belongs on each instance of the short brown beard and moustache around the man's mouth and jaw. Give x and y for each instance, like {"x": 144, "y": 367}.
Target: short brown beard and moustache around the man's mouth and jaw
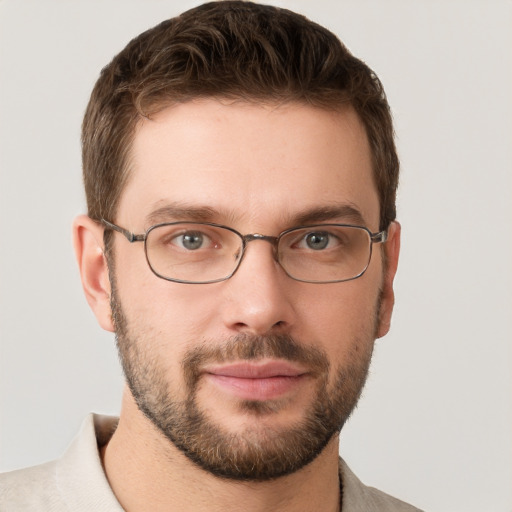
{"x": 255, "y": 452}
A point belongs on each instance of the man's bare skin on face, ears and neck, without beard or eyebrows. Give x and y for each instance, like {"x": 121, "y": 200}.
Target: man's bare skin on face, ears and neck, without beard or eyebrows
{"x": 258, "y": 167}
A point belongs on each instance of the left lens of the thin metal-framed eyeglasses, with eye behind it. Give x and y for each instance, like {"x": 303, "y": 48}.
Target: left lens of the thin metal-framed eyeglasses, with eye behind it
{"x": 193, "y": 253}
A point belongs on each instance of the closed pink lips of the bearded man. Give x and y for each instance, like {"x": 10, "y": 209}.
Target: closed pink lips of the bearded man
{"x": 257, "y": 380}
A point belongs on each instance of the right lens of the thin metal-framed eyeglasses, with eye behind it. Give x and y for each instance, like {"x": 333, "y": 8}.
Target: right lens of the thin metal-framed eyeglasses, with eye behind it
{"x": 325, "y": 253}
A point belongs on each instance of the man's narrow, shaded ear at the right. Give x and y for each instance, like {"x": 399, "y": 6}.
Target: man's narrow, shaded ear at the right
{"x": 392, "y": 251}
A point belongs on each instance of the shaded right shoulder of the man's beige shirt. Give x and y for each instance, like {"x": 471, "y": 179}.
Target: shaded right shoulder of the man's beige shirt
{"x": 358, "y": 497}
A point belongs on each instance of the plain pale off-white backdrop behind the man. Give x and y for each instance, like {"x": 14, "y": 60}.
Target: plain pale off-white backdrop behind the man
{"x": 435, "y": 424}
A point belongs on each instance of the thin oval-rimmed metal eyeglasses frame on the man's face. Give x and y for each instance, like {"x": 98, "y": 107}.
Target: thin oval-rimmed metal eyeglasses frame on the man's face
{"x": 375, "y": 238}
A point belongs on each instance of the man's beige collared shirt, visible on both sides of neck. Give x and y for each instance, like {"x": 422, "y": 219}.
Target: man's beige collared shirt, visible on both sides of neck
{"x": 76, "y": 482}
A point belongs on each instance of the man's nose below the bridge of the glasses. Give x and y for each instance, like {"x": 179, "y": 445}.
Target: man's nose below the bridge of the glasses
{"x": 258, "y": 297}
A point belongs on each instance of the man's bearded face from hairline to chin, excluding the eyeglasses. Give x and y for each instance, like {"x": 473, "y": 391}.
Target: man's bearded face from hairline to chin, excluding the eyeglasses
{"x": 250, "y": 377}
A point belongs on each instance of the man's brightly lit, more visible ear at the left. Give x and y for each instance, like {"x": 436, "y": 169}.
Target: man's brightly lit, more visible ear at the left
{"x": 88, "y": 244}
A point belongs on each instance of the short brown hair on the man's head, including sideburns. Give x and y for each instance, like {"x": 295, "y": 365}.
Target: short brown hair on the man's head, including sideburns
{"x": 234, "y": 50}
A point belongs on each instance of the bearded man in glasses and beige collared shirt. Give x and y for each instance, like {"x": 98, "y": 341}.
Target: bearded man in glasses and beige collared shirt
{"x": 241, "y": 242}
